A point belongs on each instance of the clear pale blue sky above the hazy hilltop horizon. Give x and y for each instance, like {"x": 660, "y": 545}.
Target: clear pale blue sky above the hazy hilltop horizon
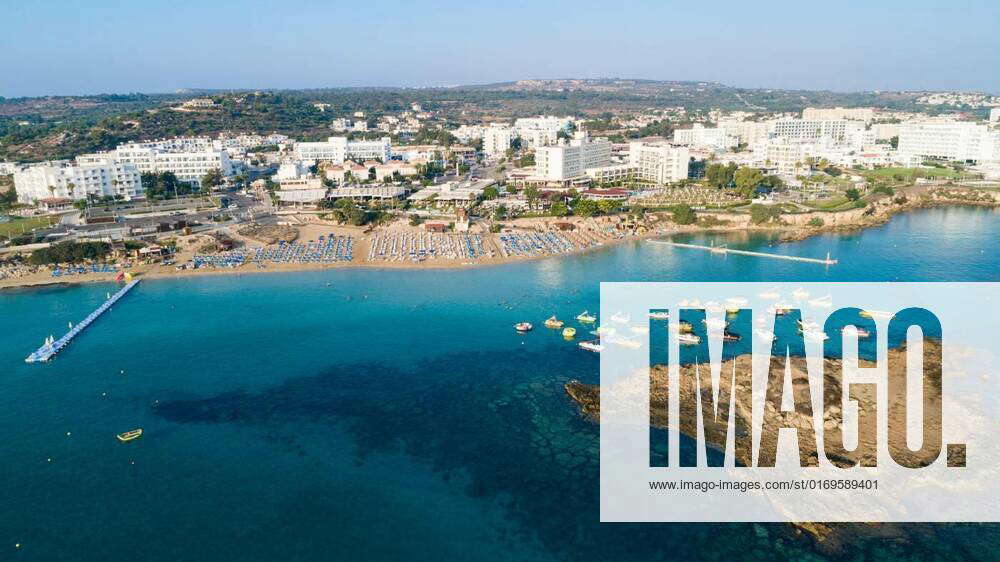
{"x": 75, "y": 47}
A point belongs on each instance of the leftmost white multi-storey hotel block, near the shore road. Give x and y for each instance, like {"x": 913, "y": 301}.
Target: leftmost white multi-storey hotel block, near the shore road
{"x": 98, "y": 175}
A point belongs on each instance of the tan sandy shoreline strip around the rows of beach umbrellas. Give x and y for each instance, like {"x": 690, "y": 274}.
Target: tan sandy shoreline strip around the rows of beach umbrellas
{"x": 590, "y": 234}
